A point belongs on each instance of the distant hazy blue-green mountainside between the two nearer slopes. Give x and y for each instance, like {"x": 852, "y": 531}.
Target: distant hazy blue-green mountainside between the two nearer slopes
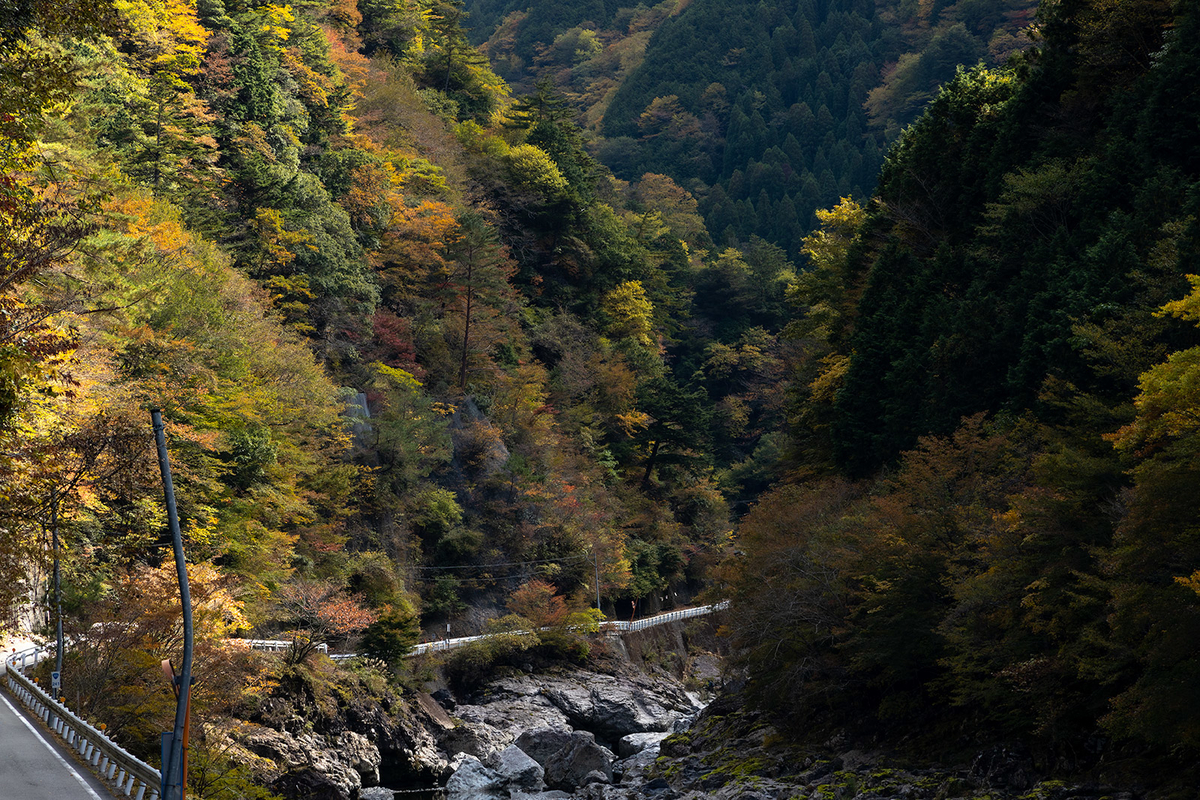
{"x": 765, "y": 112}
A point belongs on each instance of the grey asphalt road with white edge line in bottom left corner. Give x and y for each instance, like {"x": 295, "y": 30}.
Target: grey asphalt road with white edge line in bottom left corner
{"x": 35, "y": 767}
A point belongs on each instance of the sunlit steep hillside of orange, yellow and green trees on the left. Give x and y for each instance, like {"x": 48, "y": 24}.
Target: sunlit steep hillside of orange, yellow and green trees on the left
{"x": 412, "y": 344}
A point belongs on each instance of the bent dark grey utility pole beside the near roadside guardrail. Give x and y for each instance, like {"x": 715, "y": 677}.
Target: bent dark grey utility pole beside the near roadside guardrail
{"x": 175, "y": 757}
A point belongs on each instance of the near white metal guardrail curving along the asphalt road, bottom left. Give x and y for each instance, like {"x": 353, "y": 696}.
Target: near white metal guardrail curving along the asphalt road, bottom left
{"x": 130, "y": 775}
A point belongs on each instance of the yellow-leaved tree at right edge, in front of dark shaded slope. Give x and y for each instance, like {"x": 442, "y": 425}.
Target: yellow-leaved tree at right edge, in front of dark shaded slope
{"x": 1155, "y": 568}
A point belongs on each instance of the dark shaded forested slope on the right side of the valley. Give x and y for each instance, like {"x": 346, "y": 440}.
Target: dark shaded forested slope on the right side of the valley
{"x": 998, "y": 404}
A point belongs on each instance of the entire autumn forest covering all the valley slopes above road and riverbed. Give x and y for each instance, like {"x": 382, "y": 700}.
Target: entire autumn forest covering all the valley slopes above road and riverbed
{"x": 879, "y": 320}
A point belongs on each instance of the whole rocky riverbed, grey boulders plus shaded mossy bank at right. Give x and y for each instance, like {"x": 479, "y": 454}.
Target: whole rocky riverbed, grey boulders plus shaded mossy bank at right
{"x": 607, "y": 733}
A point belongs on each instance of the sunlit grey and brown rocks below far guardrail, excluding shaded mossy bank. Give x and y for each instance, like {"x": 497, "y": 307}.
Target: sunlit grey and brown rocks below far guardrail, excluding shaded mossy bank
{"x": 333, "y": 735}
